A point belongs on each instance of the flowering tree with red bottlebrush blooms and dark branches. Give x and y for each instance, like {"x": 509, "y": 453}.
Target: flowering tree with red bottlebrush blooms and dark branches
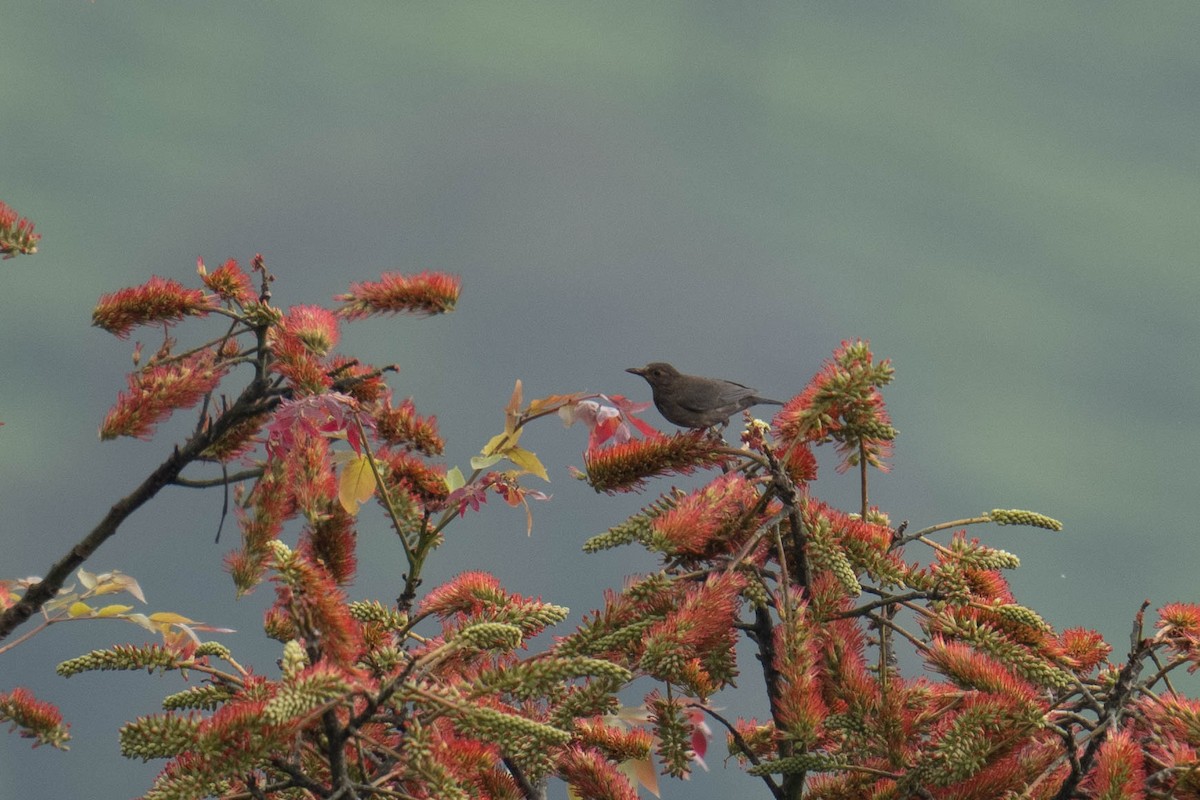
{"x": 435, "y": 695}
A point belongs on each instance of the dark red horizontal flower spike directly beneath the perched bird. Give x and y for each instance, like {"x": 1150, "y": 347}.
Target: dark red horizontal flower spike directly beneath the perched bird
{"x": 626, "y": 467}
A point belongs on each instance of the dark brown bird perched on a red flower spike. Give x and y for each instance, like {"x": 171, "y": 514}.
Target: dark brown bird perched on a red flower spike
{"x": 695, "y": 402}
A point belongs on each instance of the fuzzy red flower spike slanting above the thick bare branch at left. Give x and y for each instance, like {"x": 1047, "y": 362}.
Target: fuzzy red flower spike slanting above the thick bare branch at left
{"x": 159, "y": 390}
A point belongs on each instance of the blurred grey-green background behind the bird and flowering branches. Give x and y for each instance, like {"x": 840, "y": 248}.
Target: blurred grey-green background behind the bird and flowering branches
{"x": 1004, "y": 199}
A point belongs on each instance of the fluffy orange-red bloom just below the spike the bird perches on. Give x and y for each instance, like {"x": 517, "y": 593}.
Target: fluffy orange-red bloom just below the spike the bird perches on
{"x": 704, "y": 522}
